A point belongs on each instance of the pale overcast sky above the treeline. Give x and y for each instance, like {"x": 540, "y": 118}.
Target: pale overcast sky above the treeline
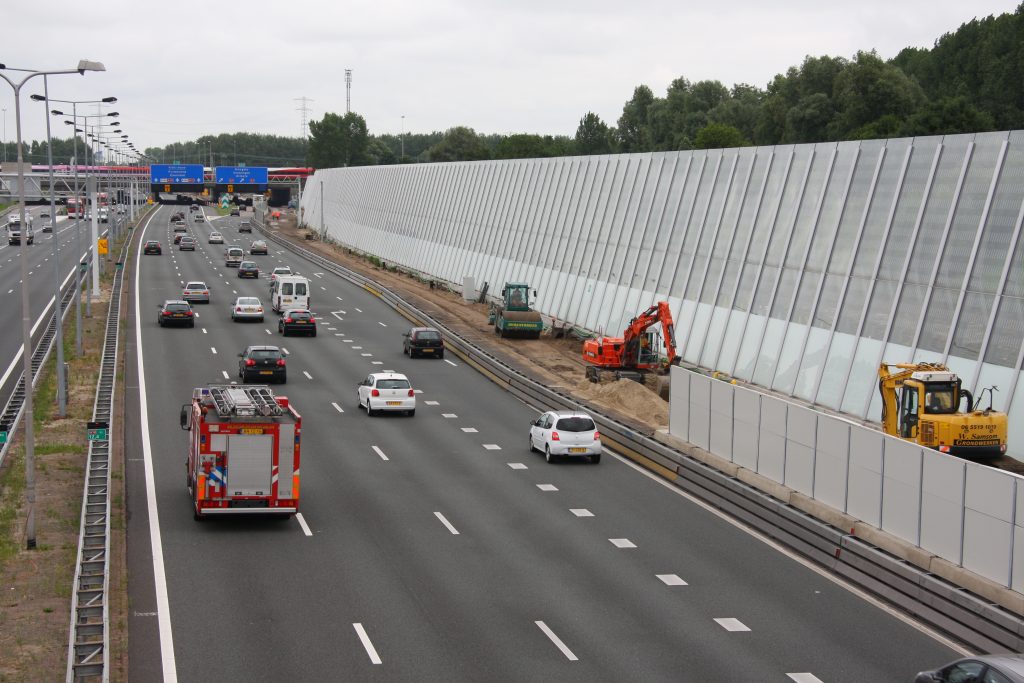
{"x": 186, "y": 69}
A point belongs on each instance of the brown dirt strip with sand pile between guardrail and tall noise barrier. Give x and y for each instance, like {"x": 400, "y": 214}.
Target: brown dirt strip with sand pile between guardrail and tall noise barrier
{"x": 557, "y": 363}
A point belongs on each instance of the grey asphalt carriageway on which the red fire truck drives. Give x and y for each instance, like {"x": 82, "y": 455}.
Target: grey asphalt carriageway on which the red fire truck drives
{"x": 438, "y": 547}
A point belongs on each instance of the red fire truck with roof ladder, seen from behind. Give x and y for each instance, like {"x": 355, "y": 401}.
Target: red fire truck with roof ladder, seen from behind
{"x": 243, "y": 451}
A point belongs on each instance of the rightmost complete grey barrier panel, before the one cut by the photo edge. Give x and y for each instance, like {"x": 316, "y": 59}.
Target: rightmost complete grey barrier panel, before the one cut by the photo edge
{"x": 989, "y": 522}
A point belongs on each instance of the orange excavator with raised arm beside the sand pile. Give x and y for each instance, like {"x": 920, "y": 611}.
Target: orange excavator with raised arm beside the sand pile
{"x": 635, "y": 355}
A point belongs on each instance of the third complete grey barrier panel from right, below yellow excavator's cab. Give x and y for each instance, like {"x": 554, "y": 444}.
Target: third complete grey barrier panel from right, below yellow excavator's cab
{"x": 902, "y": 490}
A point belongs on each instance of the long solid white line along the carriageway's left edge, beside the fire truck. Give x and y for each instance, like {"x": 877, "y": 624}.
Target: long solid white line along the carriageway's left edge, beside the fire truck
{"x": 157, "y": 547}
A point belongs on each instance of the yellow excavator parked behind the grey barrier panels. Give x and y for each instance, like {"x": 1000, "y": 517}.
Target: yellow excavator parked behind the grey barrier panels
{"x": 921, "y": 403}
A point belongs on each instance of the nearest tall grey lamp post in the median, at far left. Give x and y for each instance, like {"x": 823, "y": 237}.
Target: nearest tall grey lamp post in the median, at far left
{"x": 30, "y": 455}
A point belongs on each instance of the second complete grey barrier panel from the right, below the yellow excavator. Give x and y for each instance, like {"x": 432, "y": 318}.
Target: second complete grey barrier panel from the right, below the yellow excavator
{"x": 943, "y": 505}
